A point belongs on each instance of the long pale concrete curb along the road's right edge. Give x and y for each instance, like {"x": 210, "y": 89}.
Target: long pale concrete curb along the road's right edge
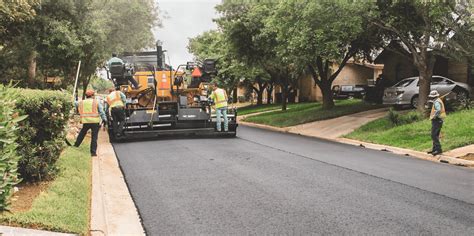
{"x": 401, "y": 151}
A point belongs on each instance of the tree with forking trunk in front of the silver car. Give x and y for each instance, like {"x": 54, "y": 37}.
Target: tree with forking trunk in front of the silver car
{"x": 425, "y": 29}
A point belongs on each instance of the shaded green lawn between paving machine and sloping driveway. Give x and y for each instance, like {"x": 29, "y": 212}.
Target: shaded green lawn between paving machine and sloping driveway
{"x": 308, "y": 112}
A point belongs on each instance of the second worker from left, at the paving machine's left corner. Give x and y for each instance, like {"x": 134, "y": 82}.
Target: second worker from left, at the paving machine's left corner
{"x": 116, "y": 101}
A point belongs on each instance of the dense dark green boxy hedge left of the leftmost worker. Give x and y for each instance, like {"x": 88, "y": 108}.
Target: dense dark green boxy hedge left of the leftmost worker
{"x": 41, "y": 136}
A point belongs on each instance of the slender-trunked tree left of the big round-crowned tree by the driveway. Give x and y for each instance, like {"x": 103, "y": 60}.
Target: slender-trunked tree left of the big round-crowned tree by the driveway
{"x": 244, "y": 27}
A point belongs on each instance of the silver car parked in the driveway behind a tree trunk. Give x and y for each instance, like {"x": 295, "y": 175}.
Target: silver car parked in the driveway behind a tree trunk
{"x": 406, "y": 91}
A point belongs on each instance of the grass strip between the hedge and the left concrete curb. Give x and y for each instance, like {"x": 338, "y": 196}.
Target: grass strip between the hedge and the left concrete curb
{"x": 65, "y": 205}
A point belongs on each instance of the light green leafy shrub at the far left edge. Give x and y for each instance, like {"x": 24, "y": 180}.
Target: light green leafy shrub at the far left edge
{"x": 8, "y": 155}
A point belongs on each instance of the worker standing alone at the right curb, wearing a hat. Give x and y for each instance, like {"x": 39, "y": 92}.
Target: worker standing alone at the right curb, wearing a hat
{"x": 437, "y": 115}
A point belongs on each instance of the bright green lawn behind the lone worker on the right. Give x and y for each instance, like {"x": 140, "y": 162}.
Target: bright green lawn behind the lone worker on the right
{"x": 457, "y": 131}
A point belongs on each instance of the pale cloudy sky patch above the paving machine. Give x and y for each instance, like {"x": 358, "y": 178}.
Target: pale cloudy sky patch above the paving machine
{"x": 183, "y": 19}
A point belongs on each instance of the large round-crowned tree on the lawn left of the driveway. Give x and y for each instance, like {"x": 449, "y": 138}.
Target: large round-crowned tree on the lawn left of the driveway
{"x": 320, "y": 35}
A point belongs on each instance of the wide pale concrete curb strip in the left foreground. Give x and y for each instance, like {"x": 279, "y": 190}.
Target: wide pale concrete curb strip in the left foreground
{"x": 113, "y": 211}
